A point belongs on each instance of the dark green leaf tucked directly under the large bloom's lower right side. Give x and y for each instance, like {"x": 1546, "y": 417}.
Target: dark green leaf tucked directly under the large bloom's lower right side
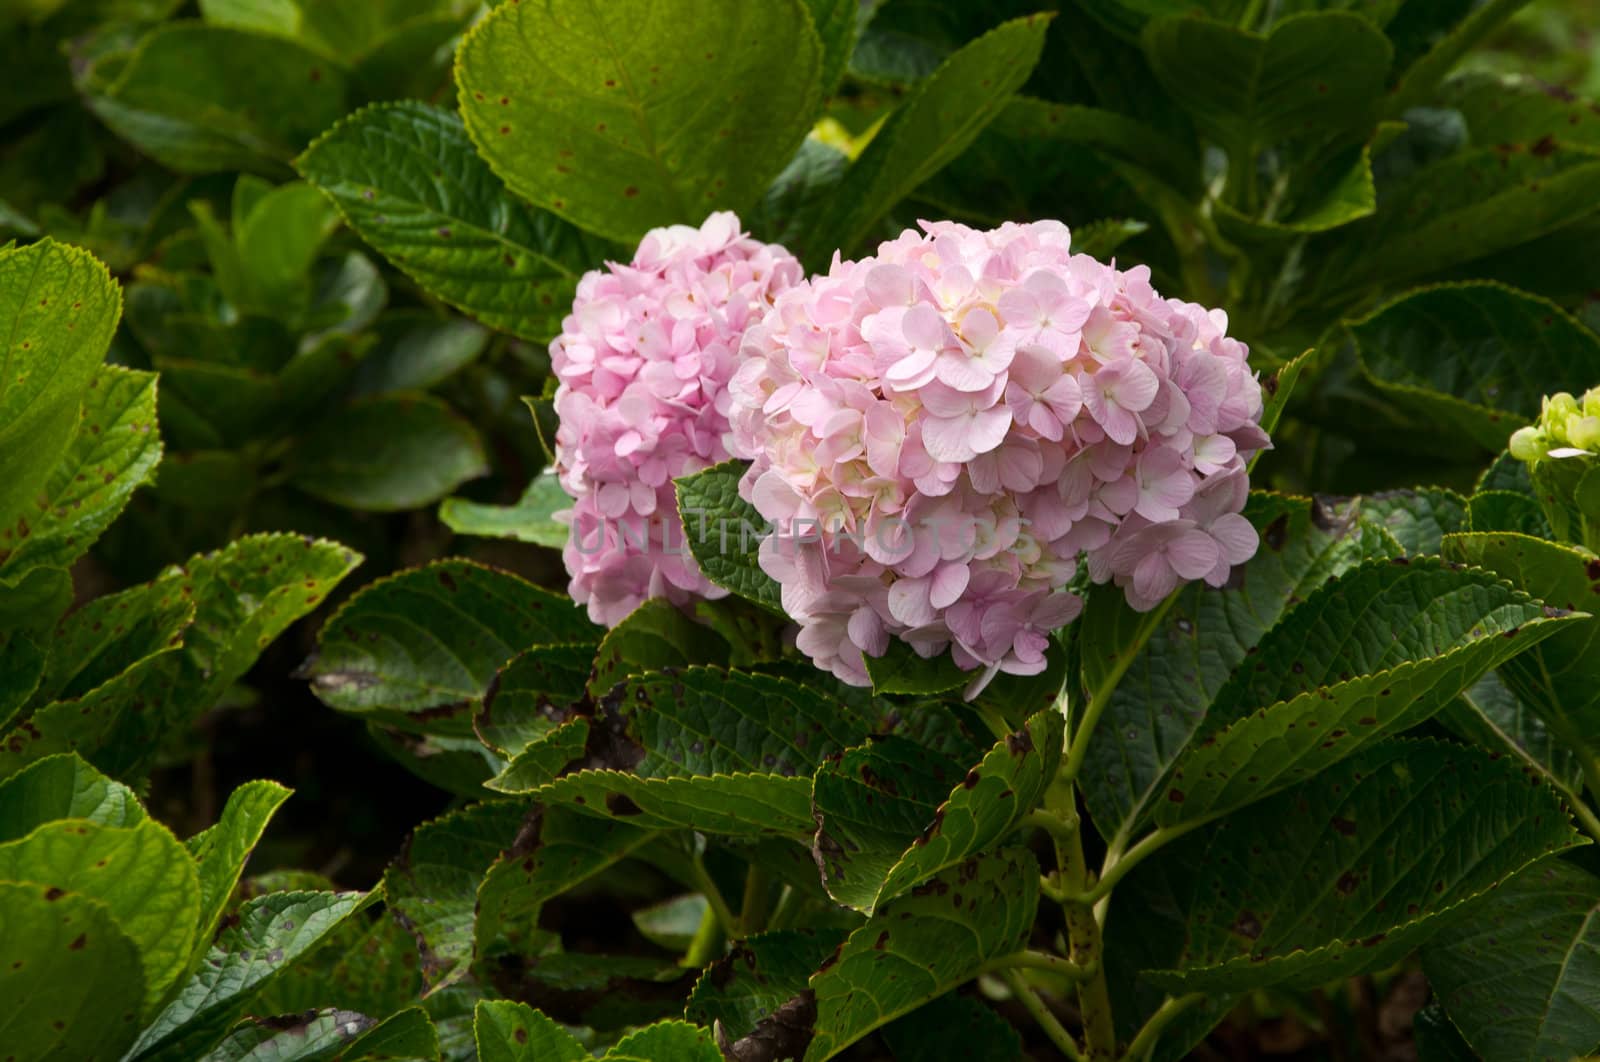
{"x": 1159, "y": 690}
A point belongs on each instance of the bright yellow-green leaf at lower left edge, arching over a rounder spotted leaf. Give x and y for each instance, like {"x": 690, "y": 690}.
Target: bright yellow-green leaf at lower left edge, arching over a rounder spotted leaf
{"x": 140, "y": 874}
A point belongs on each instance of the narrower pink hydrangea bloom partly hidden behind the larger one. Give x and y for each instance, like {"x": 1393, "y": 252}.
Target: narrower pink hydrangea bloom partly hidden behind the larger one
{"x": 644, "y": 362}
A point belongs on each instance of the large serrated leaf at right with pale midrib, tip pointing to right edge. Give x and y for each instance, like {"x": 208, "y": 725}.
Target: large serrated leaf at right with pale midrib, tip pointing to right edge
{"x": 1372, "y": 653}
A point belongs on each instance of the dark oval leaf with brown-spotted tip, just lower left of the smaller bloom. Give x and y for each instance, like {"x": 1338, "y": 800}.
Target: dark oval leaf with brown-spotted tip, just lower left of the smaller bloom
{"x": 436, "y": 636}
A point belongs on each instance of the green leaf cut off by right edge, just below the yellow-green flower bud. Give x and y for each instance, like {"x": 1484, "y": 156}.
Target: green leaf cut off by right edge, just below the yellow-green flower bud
{"x": 1561, "y": 677}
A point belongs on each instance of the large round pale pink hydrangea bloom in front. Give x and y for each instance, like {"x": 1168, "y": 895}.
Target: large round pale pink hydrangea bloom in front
{"x": 943, "y": 431}
